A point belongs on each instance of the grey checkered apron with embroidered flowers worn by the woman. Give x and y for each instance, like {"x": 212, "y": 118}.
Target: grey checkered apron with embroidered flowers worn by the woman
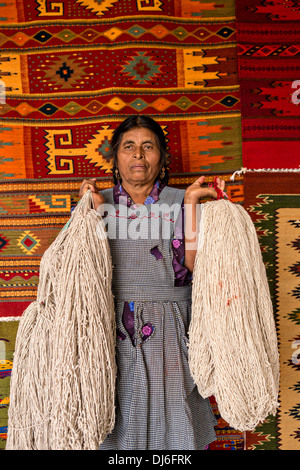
{"x": 158, "y": 406}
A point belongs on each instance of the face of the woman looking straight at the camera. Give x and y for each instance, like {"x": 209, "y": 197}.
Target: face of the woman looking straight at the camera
{"x": 138, "y": 157}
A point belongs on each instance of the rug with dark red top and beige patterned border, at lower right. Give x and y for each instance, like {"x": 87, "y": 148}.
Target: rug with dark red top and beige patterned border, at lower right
{"x": 273, "y": 202}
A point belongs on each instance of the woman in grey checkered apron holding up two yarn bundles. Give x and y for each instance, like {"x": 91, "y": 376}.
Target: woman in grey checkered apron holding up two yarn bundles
{"x": 157, "y": 403}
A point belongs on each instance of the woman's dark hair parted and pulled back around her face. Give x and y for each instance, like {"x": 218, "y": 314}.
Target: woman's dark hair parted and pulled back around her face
{"x": 140, "y": 121}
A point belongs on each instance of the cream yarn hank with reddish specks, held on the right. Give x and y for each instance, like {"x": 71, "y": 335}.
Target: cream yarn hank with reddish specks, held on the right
{"x": 233, "y": 351}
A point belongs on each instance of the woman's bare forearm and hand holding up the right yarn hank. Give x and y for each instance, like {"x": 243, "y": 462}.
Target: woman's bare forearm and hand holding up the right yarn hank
{"x": 192, "y": 197}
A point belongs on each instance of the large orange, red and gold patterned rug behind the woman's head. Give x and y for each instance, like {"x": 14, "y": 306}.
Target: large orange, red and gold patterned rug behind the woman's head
{"x": 71, "y": 78}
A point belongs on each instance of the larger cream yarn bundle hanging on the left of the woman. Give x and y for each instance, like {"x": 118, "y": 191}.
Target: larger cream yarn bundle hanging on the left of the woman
{"x": 63, "y": 378}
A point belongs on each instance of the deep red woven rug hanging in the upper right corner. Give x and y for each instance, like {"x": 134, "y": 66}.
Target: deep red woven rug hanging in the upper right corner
{"x": 268, "y": 36}
